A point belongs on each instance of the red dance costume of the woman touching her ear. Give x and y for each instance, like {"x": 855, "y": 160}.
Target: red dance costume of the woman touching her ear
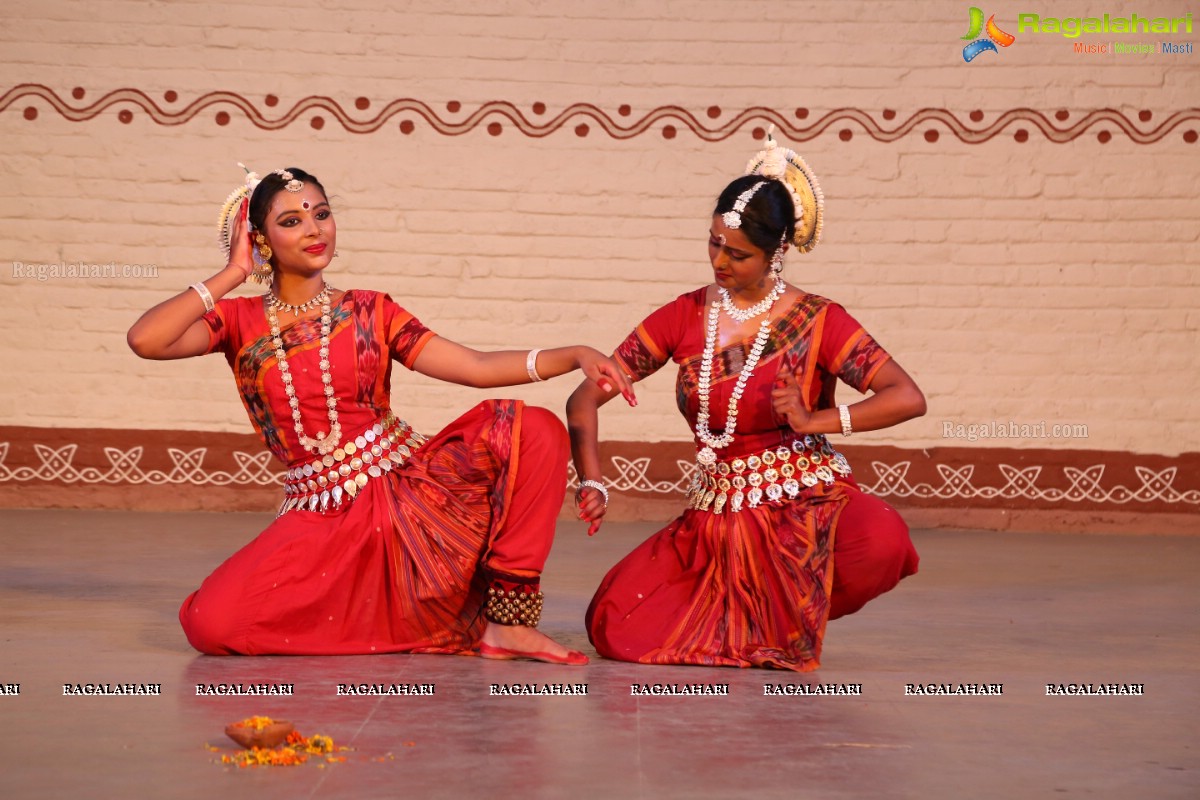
{"x": 392, "y": 544}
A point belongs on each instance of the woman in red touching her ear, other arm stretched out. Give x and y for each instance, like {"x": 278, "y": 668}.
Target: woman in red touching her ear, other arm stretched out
{"x": 387, "y": 542}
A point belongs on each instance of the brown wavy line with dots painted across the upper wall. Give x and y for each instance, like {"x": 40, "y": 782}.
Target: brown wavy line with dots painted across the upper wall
{"x": 497, "y": 118}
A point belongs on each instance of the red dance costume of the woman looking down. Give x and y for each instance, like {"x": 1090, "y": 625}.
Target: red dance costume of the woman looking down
{"x": 779, "y": 539}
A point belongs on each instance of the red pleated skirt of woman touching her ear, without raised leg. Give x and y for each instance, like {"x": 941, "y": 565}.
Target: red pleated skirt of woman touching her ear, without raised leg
{"x": 394, "y": 572}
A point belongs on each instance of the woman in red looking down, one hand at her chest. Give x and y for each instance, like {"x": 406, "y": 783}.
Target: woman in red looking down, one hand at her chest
{"x": 778, "y": 538}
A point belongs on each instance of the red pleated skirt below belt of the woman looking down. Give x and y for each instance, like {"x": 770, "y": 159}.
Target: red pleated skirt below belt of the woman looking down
{"x": 753, "y": 588}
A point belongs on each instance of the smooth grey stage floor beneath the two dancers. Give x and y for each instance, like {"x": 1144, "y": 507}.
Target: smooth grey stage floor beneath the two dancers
{"x": 92, "y": 598}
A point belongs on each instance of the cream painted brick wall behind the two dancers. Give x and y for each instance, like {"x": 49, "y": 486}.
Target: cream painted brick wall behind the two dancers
{"x": 1016, "y": 281}
